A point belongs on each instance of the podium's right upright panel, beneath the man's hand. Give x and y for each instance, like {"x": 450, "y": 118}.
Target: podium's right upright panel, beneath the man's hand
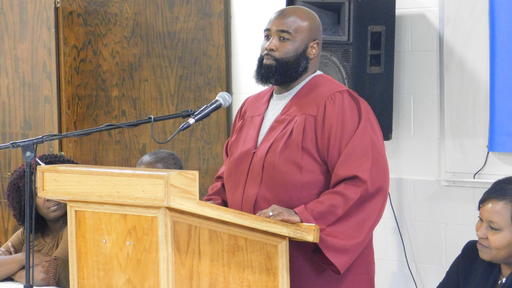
{"x": 209, "y": 254}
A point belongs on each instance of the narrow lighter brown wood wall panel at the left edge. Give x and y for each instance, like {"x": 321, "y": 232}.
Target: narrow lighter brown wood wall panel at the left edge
{"x": 28, "y": 87}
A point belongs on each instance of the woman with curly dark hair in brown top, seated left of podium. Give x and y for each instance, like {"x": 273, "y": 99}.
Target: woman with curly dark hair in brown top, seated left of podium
{"x": 50, "y": 235}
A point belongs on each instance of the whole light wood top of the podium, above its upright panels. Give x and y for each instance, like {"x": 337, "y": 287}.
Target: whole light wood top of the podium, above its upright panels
{"x": 173, "y": 189}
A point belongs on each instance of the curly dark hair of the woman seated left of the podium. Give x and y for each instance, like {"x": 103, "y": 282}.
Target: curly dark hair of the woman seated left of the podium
{"x": 16, "y": 190}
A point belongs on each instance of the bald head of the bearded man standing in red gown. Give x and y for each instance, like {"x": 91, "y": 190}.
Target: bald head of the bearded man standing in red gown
{"x": 291, "y": 47}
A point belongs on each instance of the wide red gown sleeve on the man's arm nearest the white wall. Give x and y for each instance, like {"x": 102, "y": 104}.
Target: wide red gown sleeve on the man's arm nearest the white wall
{"x": 351, "y": 144}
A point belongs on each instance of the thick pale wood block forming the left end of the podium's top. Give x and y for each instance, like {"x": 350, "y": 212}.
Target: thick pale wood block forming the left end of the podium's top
{"x": 142, "y": 187}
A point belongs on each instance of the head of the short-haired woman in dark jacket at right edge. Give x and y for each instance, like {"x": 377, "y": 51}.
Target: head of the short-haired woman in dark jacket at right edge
{"x": 494, "y": 225}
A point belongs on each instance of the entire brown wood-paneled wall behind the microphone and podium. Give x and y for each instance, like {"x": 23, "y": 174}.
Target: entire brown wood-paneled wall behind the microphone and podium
{"x": 119, "y": 60}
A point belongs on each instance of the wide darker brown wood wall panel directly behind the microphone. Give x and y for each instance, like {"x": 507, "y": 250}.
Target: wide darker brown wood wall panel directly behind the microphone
{"x": 126, "y": 59}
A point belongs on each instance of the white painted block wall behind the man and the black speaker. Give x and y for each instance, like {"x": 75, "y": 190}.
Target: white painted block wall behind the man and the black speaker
{"x": 441, "y": 60}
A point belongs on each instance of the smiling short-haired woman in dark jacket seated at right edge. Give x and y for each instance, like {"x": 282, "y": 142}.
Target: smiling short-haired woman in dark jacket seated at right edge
{"x": 488, "y": 261}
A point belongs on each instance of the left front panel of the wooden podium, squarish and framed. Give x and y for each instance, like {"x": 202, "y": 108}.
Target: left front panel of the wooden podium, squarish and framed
{"x": 116, "y": 246}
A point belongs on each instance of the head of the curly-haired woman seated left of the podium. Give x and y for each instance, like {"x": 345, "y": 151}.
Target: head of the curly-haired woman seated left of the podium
{"x": 46, "y": 210}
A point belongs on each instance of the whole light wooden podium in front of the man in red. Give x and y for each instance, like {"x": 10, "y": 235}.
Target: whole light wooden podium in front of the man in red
{"x": 131, "y": 227}
